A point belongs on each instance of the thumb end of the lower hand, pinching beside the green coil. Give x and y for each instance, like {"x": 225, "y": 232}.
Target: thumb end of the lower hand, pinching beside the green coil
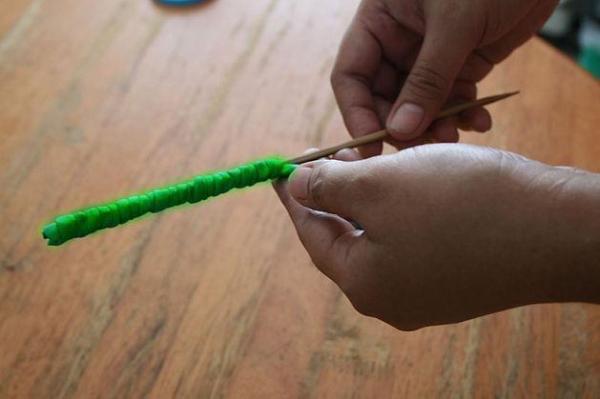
{"x": 330, "y": 186}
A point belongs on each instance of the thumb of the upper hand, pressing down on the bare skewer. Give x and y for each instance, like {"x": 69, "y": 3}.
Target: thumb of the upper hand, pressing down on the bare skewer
{"x": 429, "y": 82}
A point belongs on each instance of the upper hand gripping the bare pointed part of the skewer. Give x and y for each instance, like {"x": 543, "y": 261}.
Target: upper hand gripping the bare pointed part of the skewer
{"x": 402, "y": 60}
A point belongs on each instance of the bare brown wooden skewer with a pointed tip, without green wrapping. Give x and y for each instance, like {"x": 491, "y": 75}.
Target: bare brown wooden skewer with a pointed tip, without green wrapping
{"x": 382, "y": 134}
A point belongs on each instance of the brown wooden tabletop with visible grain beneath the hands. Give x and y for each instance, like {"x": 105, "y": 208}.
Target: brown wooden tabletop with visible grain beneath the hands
{"x": 99, "y": 98}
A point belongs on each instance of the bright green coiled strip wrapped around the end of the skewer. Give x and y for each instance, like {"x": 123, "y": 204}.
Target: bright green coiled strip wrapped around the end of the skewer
{"x": 89, "y": 220}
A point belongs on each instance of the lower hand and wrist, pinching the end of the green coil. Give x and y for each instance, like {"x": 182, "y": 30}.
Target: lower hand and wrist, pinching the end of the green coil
{"x": 451, "y": 232}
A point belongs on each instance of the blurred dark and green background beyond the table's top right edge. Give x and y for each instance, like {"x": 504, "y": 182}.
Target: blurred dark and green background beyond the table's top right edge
{"x": 574, "y": 28}
